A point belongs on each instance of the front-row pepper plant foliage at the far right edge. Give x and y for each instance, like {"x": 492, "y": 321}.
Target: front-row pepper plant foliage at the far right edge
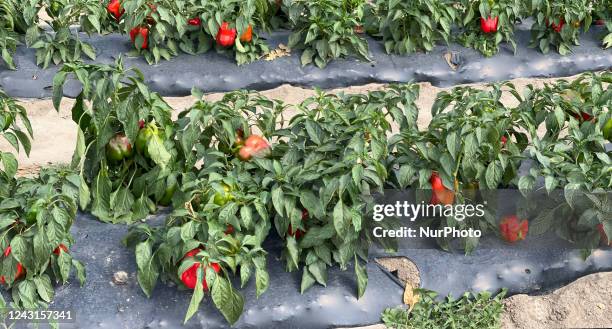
{"x": 573, "y": 158}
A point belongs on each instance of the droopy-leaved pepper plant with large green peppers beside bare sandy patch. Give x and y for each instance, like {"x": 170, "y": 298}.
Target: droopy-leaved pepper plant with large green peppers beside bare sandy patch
{"x": 123, "y": 153}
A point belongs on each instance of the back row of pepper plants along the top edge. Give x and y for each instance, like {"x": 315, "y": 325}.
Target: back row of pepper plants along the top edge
{"x": 323, "y": 29}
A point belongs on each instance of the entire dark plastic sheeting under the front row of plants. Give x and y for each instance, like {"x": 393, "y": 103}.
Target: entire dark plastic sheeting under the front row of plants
{"x": 537, "y": 264}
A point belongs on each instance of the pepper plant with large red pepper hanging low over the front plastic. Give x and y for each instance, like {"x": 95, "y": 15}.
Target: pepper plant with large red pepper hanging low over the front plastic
{"x": 221, "y": 214}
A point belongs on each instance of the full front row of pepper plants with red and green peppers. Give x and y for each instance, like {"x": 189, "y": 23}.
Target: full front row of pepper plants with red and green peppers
{"x": 238, "y": 170}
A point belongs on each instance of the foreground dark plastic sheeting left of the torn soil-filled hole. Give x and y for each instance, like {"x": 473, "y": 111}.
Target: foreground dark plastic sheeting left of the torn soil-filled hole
{"x": 102, "y": 304}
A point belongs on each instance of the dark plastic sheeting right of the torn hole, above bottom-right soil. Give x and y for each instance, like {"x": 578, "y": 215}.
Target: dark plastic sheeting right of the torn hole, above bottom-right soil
{"x": 532, "y": 266}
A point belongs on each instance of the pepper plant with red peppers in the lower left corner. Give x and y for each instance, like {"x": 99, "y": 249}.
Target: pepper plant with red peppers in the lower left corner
{"x": 35, "y": 221}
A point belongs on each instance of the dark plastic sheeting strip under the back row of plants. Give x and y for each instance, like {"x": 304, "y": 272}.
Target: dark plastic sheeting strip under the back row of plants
{"x": 212, "y": 72}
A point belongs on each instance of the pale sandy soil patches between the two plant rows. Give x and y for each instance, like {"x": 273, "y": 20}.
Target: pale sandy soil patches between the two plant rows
{"x": 55, "y": 133}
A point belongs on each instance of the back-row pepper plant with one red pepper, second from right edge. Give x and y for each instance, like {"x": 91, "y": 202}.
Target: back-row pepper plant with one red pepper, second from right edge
{"x": 487, "y": 23}
